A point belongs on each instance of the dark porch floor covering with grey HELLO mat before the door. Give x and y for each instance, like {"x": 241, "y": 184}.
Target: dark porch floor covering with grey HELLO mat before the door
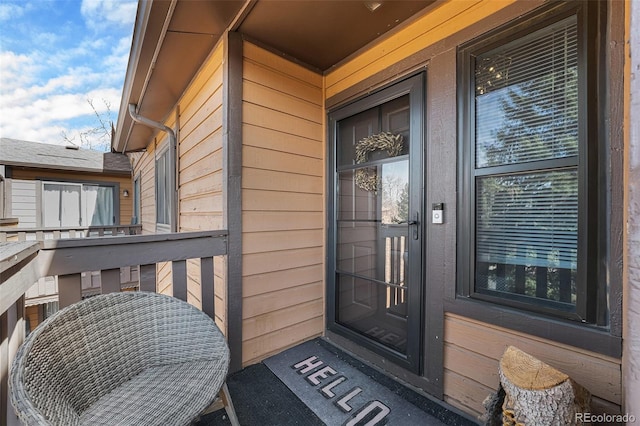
{"x": 262, "y": 398}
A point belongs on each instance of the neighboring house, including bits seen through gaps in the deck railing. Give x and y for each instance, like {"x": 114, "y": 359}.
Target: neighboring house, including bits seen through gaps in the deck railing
{"x": 51, "y": 191}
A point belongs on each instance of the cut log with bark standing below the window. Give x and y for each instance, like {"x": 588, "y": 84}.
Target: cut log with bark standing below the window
{"x": 538, "y": 394}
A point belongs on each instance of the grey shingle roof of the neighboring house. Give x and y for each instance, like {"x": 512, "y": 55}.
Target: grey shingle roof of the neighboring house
{"x": 15, "y": 152}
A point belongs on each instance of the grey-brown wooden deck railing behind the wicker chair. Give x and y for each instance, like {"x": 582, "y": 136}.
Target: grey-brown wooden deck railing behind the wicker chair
{"x": 24, "y": 263}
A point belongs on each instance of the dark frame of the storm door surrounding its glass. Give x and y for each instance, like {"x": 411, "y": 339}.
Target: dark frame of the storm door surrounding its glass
{"x": 415, "y": 86}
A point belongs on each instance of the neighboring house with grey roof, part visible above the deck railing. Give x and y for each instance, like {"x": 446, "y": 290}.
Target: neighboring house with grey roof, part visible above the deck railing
{"x": 52, "y": 186}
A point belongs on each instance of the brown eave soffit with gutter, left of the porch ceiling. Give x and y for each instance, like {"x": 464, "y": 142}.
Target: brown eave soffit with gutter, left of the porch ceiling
{"x": 161, "y": 66}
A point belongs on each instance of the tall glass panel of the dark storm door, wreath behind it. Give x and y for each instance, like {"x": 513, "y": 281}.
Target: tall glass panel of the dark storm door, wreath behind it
{"x": 372, "y": 212}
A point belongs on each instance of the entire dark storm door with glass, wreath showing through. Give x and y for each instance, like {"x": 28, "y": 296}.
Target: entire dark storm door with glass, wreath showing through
{"x": 375, "y": 221}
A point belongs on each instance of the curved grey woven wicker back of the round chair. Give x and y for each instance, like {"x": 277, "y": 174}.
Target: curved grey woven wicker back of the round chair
{"x": 90, "y": 349}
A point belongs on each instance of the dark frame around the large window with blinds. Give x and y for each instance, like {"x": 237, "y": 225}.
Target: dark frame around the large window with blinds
{"x": 591, "y": 282}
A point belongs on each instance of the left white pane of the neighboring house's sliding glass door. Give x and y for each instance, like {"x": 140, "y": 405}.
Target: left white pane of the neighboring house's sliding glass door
{"x": 61, "y": 205}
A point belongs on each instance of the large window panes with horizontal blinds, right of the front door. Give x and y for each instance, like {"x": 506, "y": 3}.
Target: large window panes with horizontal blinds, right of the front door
{"x": 526, "y": 117}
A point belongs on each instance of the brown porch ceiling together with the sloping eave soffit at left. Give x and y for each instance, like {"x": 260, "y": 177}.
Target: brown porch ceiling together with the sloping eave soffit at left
{"x": 172, "y": 39}
